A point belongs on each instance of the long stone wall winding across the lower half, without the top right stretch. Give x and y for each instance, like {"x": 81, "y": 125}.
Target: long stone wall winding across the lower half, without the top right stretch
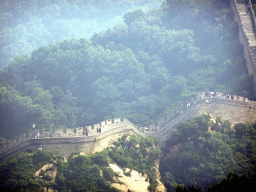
{"x": 232, "y": 108}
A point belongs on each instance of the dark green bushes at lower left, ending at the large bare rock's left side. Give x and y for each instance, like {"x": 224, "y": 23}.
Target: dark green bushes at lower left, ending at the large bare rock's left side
{"x": 83, "y": 173}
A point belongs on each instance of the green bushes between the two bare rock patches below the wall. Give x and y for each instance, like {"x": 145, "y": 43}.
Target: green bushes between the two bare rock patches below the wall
{"x": 82, "y": 173}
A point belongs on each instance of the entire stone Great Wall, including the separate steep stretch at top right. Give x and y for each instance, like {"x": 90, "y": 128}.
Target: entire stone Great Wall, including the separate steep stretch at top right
{"x": 235, "y": 109}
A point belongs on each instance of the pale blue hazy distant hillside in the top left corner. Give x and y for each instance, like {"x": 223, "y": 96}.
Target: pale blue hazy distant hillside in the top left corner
{"x": 29, "y": 24}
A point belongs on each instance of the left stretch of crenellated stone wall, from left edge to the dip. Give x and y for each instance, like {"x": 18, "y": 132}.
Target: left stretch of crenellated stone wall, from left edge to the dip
{"x": 69, "y": 141}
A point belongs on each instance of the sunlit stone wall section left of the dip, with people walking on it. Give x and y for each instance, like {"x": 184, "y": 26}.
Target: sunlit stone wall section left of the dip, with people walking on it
{"x": 74, "y": 142}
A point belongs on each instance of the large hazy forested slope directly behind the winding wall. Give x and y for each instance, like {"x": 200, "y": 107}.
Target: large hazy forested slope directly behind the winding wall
{"x": 138, "y": 70}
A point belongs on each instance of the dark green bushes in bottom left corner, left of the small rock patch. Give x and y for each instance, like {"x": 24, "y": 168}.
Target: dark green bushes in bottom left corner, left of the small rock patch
{"x": 17, "y": 174}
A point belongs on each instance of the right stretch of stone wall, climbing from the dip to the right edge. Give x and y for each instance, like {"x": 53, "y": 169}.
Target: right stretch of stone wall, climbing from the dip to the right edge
{"x": 235, "y": 109}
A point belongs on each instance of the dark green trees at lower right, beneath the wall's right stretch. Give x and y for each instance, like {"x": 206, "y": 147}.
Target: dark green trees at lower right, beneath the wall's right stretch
{"x": 201, "y": 152}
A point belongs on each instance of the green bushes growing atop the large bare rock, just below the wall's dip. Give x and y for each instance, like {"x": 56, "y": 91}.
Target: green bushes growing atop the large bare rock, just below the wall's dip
{"x": 138, "y": 153}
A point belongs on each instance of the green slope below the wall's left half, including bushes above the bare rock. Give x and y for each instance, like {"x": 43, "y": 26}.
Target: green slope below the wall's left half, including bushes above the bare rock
{"x": 81, "y": 173}
